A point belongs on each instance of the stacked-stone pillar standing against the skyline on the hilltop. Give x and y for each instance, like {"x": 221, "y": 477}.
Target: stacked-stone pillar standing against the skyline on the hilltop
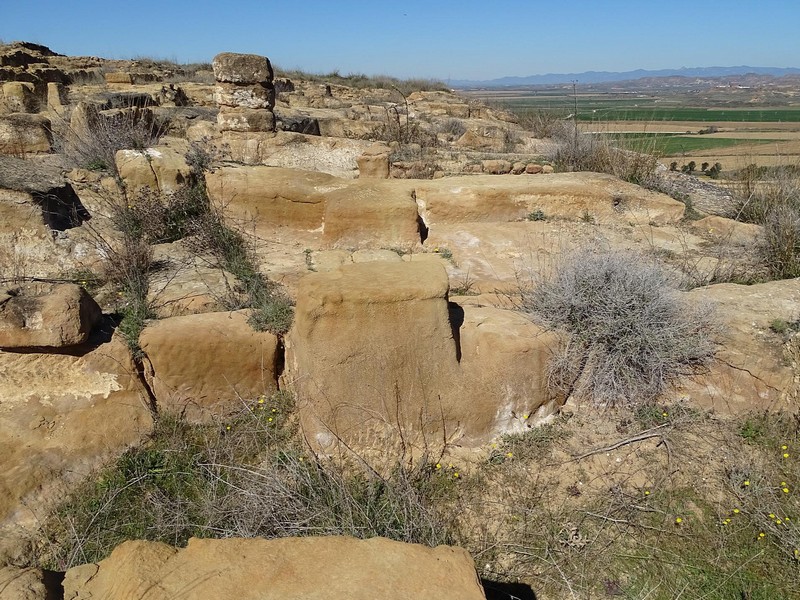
{"x": 245, "y": 92}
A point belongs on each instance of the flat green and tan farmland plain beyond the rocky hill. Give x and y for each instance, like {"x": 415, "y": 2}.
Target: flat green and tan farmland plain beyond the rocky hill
{"x": 718, "y": 125}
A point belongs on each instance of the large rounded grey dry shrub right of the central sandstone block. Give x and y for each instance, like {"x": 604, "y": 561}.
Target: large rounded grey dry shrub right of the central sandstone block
{"x": 627, "y": 332}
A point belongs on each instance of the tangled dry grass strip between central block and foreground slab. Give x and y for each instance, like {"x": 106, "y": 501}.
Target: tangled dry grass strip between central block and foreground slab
{"x": 247, "y": 476}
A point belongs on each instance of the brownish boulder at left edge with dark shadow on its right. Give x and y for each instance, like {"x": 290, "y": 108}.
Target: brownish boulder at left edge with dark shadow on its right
{"x": 46, "y": 315}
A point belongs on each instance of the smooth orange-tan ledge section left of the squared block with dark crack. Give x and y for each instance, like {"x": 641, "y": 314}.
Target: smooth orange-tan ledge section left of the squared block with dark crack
{"x": 272, "y": 196}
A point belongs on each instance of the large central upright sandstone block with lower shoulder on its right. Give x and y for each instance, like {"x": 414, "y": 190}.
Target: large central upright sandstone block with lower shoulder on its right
{"x": 377, "y": 351}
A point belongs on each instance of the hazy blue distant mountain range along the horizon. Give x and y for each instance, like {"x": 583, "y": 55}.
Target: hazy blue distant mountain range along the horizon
{"x": 610, "y": 76}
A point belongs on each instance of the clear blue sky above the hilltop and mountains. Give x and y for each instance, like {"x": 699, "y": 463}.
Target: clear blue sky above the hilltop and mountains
{"x": 443, "y": 39}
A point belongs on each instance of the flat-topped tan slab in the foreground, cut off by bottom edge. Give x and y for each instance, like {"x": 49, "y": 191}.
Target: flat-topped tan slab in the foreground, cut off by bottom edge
{"x": 330, "y": 568}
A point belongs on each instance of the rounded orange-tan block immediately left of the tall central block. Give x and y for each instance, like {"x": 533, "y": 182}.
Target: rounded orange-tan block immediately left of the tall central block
{"x": 204, "y": 365}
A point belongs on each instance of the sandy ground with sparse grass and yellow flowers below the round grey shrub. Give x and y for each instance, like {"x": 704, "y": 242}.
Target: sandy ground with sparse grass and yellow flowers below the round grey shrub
{"x": 638, "y": 505}
